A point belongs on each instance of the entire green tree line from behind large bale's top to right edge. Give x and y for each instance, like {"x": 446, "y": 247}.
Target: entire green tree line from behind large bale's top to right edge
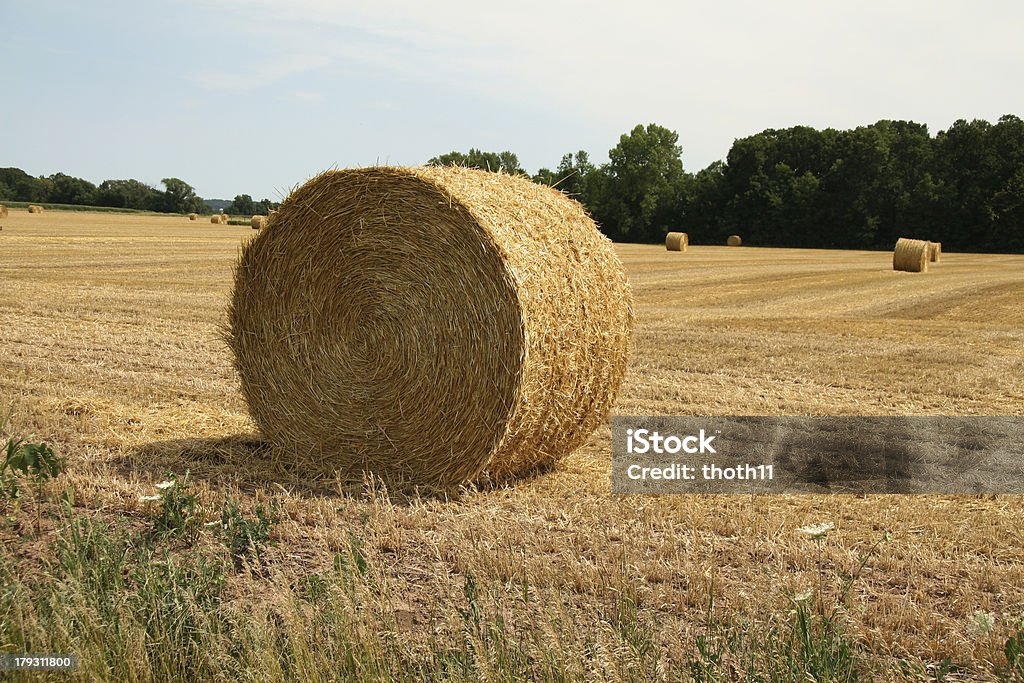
{"x": 799, "y": 187}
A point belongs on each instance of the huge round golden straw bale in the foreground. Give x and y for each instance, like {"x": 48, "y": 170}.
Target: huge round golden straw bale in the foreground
{"x": 433, "y": 326}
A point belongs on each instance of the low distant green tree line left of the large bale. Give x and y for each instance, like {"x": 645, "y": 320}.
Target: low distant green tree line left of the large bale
{"x": 177, "y": 197}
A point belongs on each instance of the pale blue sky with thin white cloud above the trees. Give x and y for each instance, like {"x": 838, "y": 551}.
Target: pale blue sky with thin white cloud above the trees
{"x": 255, "y": 97}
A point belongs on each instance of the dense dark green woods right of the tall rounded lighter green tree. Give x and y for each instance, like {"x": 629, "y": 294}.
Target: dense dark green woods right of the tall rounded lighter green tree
{"x": 865, "y": 188}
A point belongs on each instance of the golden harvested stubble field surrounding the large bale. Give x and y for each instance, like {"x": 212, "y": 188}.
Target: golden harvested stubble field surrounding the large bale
{"x": 112, "y": 352}
